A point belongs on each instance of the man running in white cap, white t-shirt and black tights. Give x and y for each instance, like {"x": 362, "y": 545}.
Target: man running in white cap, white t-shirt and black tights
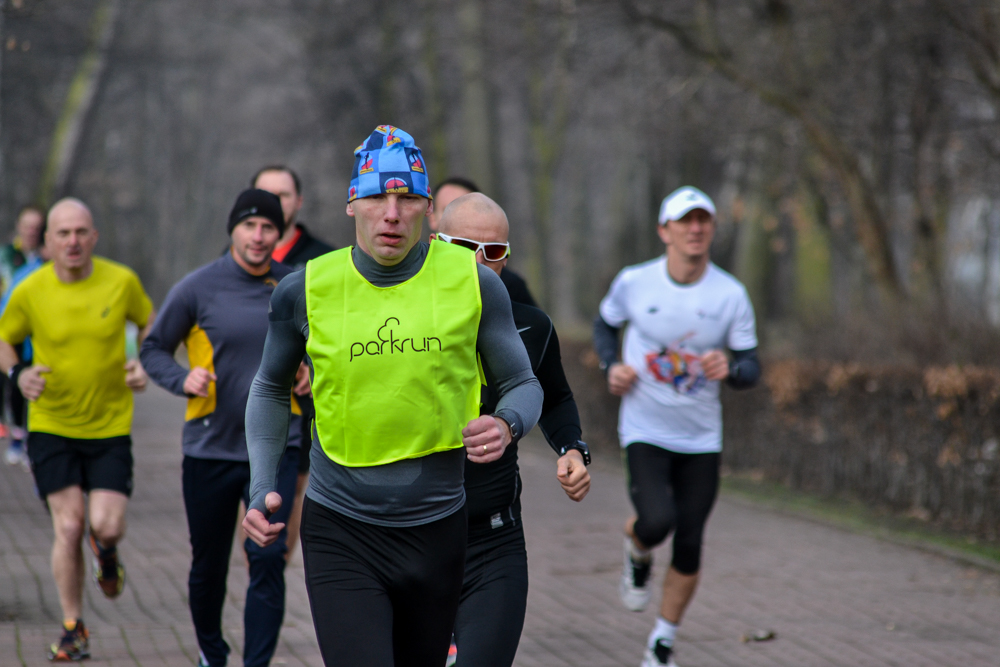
{"x": 683, "y": 313}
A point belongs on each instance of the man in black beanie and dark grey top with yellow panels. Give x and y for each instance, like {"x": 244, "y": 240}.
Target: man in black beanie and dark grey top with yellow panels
{"x": 220, "y": 312}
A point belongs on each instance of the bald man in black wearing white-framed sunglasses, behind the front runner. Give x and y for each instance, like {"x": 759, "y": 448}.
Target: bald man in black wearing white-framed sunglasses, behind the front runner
{"x": 495, "y": 589}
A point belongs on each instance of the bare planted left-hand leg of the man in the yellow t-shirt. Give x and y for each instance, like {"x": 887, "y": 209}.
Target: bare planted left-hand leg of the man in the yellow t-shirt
{"x": 67, "y": 508}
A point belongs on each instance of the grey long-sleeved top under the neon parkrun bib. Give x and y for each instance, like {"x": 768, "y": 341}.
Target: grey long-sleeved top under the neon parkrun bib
{"x": 405, "y": 493}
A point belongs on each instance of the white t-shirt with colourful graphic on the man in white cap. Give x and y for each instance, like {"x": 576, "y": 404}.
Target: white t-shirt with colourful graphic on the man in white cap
{"x": 672, "y": 404}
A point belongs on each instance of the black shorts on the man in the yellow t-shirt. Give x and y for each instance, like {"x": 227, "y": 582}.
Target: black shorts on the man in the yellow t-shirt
{"x": 59, "y": 462}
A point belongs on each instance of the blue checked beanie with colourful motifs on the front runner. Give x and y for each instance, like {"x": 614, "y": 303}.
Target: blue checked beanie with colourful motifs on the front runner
{"x": 388, "y": 162}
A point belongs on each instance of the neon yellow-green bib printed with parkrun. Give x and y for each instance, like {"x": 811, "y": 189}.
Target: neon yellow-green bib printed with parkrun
{"x": 395, "y": 370}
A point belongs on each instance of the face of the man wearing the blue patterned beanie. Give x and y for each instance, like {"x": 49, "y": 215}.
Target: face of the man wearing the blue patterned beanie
{"x": 388, "y": 225}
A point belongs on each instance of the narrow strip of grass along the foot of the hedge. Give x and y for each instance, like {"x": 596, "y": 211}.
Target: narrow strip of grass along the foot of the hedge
{"x": 854, "y": 515}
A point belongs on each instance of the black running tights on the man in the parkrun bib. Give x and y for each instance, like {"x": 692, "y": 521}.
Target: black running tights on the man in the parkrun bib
{"x": 380, "y": 596}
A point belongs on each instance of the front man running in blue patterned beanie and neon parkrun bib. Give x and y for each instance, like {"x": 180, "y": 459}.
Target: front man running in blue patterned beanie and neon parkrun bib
{"x": 392, "y": 328}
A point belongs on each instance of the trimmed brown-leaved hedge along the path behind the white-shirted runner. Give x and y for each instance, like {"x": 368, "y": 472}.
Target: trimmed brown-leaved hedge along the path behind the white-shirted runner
{"x": 921, "y": 442}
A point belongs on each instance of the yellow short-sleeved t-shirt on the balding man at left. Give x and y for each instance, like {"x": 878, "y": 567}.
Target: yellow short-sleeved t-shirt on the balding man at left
{"x": 78, "y": 330}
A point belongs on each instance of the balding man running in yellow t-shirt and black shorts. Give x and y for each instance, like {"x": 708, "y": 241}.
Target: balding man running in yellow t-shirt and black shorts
{"x": 80, "y": 391}
